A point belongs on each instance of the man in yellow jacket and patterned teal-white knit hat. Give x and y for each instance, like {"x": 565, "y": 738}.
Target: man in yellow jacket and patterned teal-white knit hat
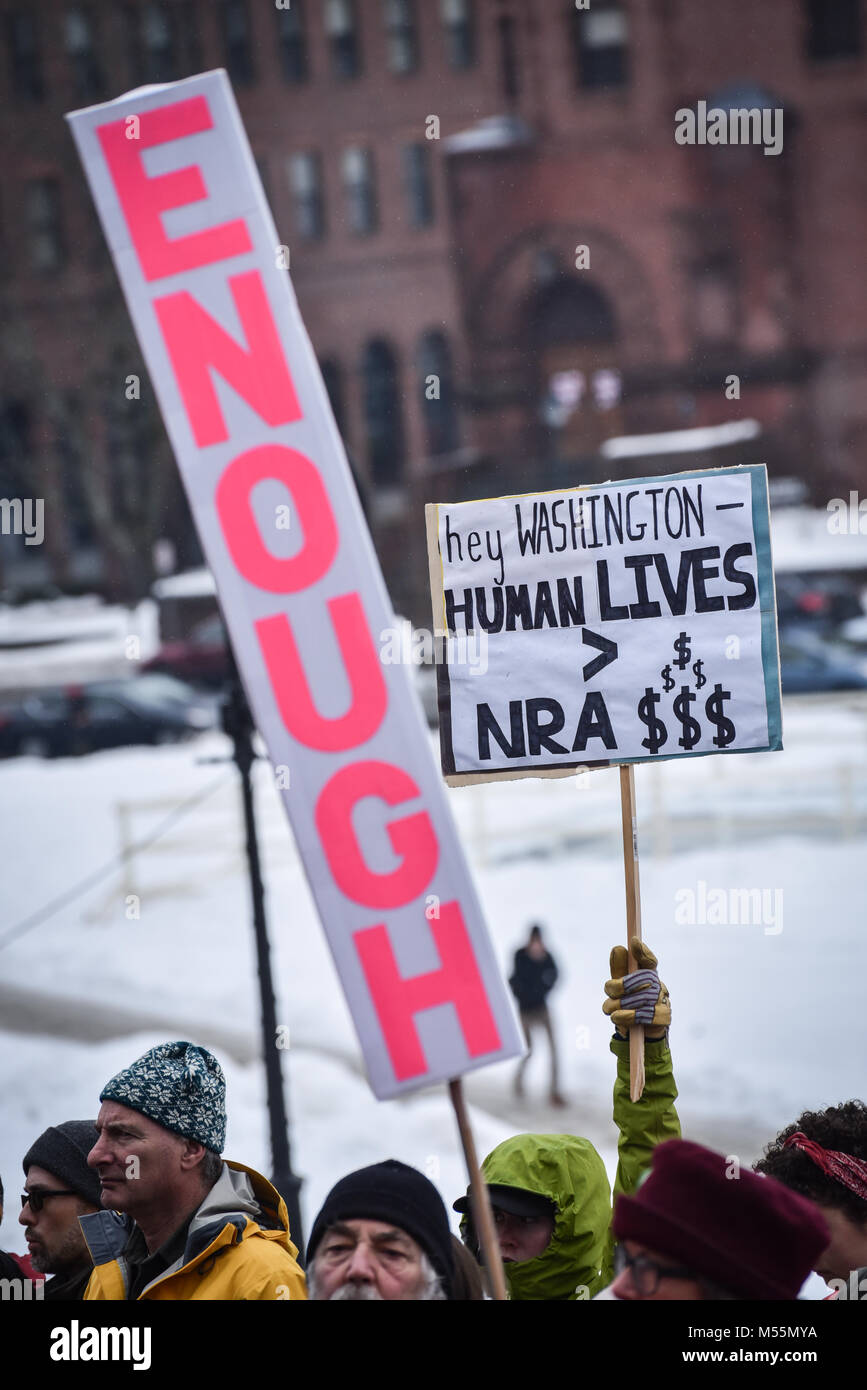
{"x": 179, "y": 1223}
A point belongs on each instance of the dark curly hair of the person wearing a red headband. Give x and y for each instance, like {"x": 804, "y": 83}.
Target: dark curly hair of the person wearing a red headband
{"x": 843, "y": 1128}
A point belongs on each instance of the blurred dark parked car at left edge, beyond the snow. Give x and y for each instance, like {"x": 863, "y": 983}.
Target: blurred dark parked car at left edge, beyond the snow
{"x": 83, "y": 719}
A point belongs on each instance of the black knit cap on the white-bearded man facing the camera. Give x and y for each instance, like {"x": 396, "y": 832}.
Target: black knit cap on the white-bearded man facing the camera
{"x": 393, "y": 1192}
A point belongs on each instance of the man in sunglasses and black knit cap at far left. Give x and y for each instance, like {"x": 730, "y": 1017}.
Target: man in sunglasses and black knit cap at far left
{"x": 60, "y": 1188}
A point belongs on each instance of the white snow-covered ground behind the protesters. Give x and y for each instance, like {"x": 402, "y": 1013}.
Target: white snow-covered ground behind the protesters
{"x": 768, "y": 1015}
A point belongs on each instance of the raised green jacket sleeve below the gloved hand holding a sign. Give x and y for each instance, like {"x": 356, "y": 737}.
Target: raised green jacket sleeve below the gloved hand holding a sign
{"x": 648, "y": 1122}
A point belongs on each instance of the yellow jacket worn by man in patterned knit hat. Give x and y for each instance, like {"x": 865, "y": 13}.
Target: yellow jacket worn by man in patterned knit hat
{"x": 238, "y": 1246}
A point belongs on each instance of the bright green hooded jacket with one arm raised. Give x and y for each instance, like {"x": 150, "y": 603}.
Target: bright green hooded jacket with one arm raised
{"x": 579, "y": 1260}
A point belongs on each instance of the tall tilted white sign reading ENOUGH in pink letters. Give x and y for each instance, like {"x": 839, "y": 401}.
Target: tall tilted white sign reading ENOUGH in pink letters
{"x": 248, "y": 415}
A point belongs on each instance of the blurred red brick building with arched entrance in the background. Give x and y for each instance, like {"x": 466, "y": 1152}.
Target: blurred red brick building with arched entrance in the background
{"x": 501, "y": 251}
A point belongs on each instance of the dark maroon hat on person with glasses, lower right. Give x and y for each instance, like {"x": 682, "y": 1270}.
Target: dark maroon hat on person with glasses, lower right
{"x": 750, "y": 1235}
